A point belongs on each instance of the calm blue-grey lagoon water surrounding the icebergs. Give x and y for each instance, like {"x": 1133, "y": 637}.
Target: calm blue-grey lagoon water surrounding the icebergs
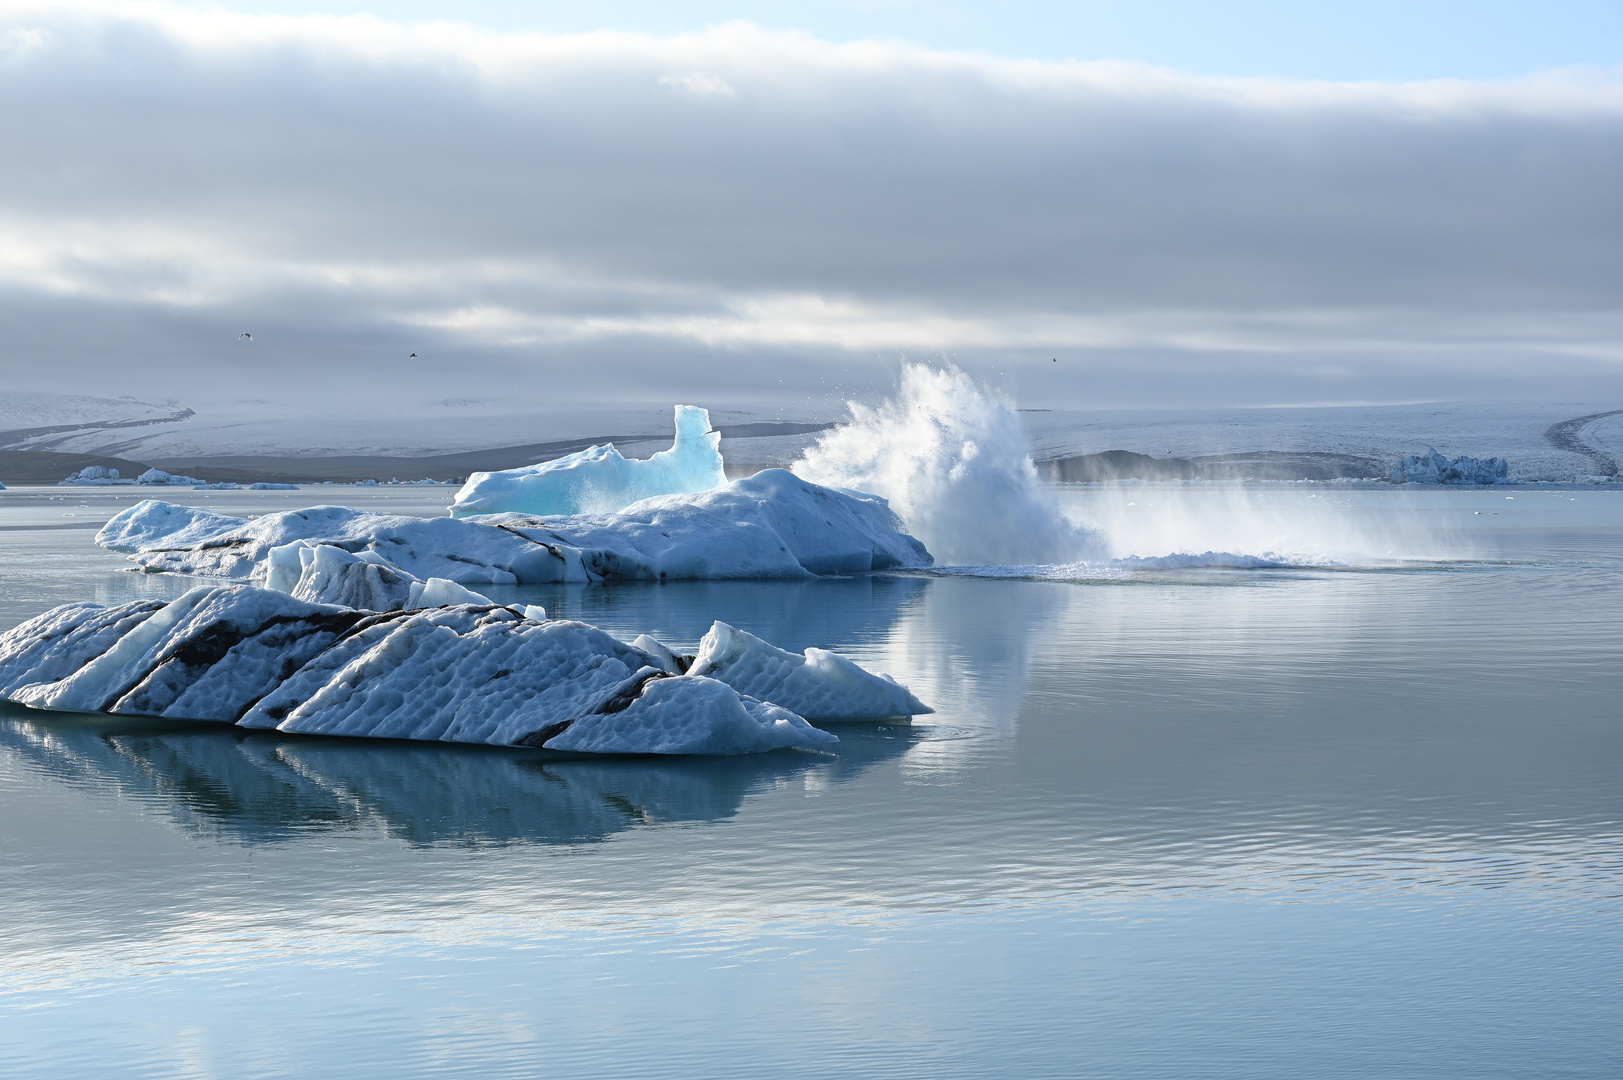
{"x": 1202, "y": 824}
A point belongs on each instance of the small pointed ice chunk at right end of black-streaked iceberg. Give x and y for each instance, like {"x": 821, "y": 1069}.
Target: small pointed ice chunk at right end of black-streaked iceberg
{"x": 816, "y": 683}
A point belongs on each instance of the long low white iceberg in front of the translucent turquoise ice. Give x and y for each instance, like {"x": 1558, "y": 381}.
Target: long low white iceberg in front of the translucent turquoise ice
{"x": 772, "y": 525}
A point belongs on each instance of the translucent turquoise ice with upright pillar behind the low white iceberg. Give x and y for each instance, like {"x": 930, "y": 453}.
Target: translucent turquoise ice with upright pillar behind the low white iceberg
{"x": 601, "y": 480}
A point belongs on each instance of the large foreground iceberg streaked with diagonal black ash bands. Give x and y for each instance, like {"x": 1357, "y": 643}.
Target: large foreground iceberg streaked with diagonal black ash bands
{"x": 473, "y": 673}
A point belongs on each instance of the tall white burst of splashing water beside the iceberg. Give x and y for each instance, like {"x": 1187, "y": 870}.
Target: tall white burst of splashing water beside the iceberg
{"x": 952, "y": 460}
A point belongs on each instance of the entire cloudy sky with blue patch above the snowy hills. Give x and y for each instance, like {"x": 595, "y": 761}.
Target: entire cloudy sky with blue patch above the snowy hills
{"x": 1090, "y": 205}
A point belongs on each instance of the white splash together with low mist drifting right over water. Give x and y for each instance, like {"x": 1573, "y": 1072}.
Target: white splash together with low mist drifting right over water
{"x": 952, "y": 460}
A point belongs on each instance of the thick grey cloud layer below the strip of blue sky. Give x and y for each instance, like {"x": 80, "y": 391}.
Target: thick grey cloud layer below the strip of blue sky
{"x": 739, "y": 196}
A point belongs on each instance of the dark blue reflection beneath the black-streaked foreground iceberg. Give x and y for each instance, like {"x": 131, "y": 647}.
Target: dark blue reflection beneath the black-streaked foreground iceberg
{"x": 269, "y": 788}
